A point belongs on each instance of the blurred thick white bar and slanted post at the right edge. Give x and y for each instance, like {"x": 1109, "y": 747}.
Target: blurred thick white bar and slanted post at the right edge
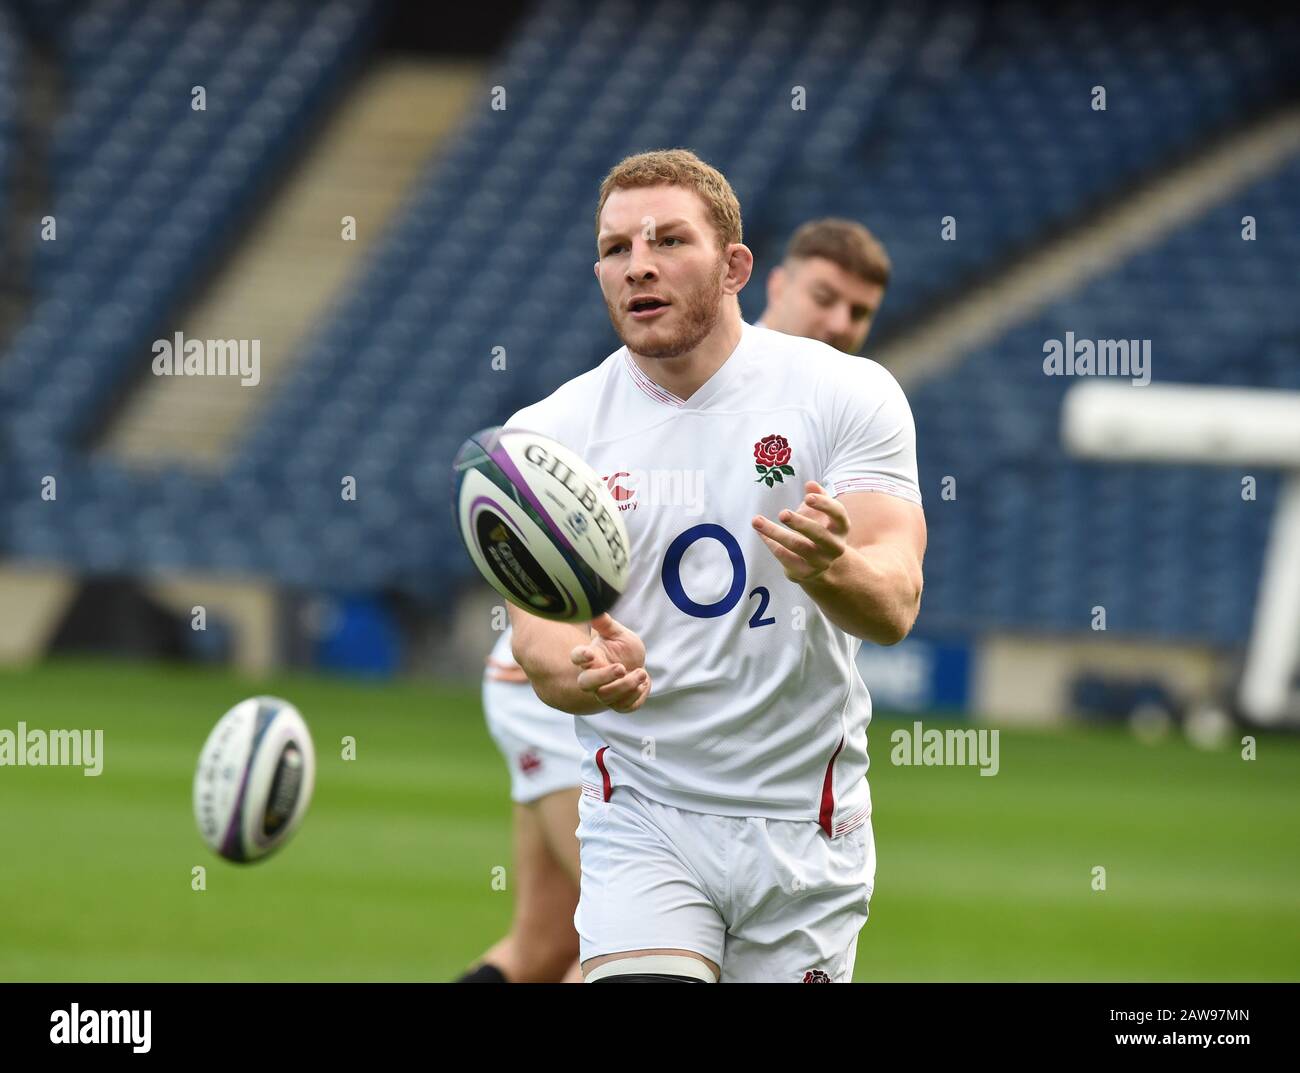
{"x": 1216, "y": 427}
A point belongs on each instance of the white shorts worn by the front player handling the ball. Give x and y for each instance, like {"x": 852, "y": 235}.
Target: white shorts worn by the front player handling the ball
{"x": 768, "y": 901}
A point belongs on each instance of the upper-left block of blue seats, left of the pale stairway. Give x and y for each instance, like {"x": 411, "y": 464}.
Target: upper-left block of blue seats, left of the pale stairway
{"x": 133, "y": 240}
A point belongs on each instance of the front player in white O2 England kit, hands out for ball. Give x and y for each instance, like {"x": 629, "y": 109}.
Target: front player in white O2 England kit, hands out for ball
{"x": 726, "y": 819}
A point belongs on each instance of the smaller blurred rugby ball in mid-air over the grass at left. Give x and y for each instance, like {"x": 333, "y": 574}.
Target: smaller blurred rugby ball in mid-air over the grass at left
{"x": 255, "y": 780}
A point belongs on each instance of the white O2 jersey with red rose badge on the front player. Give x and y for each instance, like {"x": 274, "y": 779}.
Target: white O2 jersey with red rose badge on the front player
{"x": 757, "y": 707}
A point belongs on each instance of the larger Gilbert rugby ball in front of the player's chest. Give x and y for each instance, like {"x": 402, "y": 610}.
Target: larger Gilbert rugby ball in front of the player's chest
{"x": 540, "y": 525}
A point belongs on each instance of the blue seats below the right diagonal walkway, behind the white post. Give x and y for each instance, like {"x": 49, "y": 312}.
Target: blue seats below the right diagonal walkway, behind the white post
{"x": 1034, "y": 539}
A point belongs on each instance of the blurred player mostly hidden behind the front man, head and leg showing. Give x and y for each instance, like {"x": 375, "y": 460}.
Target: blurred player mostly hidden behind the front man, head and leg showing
{"x": 829, "y": 288}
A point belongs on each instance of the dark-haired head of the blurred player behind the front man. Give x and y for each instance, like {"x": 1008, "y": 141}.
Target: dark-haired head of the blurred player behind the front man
{"x": 830, "y": 285}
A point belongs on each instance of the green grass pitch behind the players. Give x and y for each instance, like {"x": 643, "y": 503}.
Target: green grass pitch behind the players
{"x": 391, "y": 876}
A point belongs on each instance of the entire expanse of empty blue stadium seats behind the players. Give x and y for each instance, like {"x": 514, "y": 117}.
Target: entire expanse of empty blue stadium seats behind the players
{"x": 495, "y": 250}
